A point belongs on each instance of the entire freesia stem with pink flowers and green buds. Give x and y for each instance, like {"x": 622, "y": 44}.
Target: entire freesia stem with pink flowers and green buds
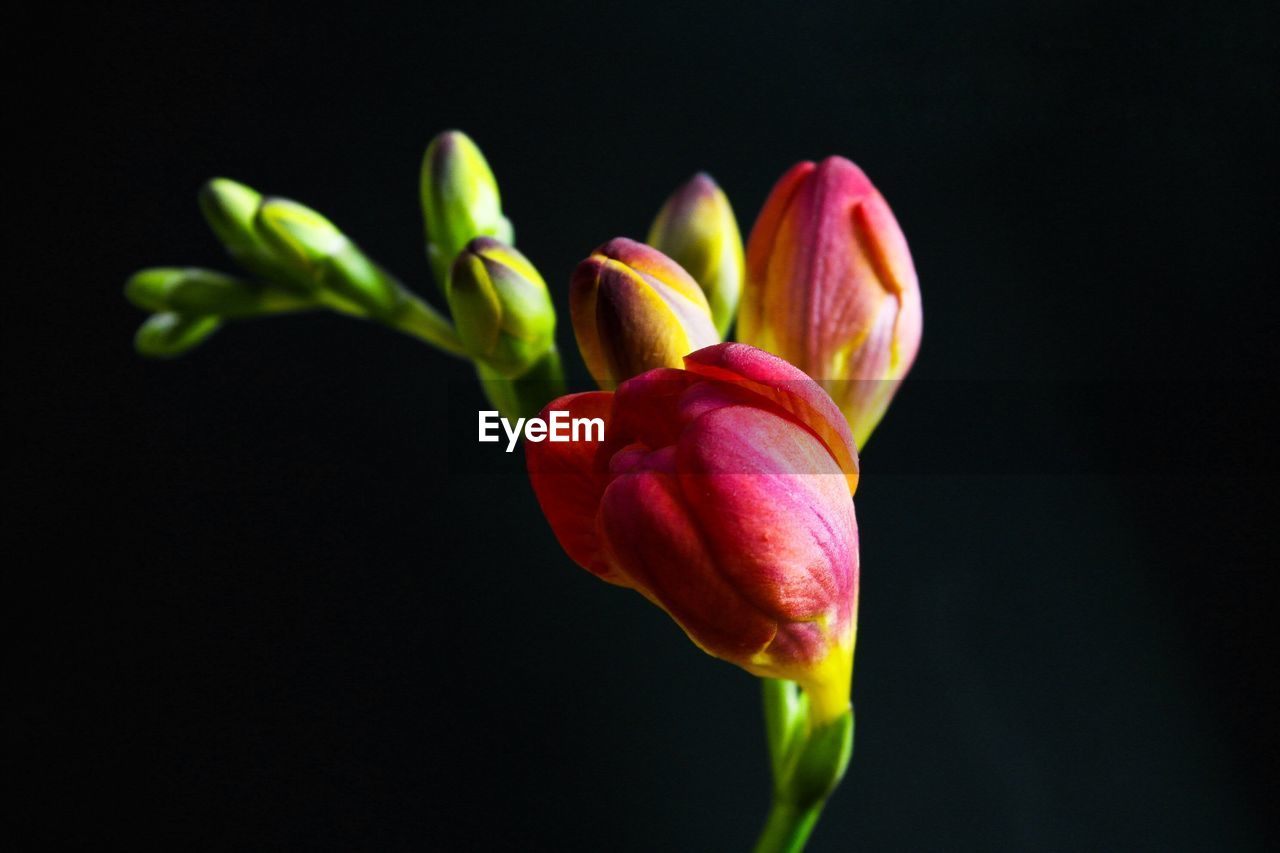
{"x": 719, "y": 477}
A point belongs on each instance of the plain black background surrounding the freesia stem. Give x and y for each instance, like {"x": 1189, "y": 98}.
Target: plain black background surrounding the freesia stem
{"x": 278, "y": 597}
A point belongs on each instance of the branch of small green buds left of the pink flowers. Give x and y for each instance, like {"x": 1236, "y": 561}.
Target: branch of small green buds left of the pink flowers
{"x": 295, "y": 259}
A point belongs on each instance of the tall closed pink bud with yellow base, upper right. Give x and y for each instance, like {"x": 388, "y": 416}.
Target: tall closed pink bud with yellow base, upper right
{"x": 831, "y": 288}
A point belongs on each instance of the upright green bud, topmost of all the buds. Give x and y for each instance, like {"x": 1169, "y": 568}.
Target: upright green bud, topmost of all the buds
{"x": 460, "y": 200}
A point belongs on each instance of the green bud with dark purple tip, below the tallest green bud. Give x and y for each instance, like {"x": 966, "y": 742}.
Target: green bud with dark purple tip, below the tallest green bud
{"x": 501, "y": 307}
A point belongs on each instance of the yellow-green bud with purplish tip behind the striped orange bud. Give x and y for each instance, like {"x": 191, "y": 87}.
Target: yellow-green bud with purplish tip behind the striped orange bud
{"x": 698, "y": 231}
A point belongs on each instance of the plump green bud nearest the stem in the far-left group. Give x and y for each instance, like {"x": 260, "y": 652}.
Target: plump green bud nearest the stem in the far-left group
{"x": 322, "y": 257}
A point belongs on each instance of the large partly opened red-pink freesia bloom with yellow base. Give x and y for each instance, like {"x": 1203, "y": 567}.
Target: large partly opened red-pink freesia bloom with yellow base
{"x": 721, "y": 494}
